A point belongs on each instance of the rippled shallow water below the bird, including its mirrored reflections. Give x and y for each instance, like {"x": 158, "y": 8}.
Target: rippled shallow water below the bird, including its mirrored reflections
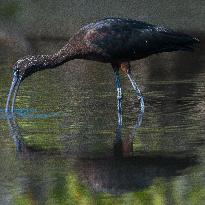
{"x": 62, "y": 146}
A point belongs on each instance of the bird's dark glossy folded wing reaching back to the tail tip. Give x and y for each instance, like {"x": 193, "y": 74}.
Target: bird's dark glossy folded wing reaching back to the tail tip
{"x": 133, "y": 39}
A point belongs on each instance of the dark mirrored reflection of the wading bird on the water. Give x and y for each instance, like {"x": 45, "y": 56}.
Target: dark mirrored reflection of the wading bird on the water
{"x": 124, "y": 171}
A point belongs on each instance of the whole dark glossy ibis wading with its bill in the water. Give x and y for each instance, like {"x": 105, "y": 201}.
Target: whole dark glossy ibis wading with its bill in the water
{"x": 113, "y": 40}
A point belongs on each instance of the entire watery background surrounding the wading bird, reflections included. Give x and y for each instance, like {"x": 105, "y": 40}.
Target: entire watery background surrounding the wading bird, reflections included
{"x": 63, "y": 146}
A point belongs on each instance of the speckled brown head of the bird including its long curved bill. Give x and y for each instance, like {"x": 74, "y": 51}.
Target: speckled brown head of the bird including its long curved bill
{"x": 23, "y": 68}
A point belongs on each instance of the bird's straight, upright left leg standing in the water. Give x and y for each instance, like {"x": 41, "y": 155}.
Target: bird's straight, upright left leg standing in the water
{"x": 119, "y": 96}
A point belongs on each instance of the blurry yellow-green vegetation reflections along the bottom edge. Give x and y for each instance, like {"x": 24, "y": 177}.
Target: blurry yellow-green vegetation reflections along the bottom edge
{"x": 70, "y": 191}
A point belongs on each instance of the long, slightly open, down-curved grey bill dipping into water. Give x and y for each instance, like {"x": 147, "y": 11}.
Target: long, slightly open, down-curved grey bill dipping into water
{"x": 13, "y": 92}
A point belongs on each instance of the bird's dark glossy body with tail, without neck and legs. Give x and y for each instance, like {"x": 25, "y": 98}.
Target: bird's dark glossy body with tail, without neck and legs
{"x": 120, "y": 40}
